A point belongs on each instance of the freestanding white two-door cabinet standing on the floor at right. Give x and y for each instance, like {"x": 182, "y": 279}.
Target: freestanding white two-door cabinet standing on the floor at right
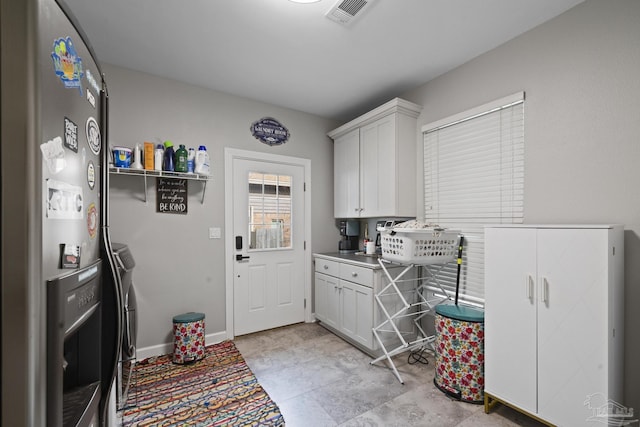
{"x": 554, "y": 321}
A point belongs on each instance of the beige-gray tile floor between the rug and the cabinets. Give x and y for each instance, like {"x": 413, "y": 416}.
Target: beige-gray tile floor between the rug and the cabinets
{"x": 318, "y": 379}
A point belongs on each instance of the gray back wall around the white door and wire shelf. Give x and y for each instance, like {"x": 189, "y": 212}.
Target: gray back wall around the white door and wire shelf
{"x": 178, "y": 268}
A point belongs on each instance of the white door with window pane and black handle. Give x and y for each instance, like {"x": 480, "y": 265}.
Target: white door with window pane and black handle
{"x": 268, "y": 256}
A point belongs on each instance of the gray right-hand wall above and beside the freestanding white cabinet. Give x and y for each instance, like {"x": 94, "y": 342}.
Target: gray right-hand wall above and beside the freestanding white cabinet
{"x": 581, "y": 75}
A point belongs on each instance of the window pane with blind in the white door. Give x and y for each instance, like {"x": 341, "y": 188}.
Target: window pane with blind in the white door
{"x": 269, "y": 211}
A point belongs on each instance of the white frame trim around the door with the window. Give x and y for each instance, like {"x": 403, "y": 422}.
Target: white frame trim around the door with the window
{"x": 230, "y": 154}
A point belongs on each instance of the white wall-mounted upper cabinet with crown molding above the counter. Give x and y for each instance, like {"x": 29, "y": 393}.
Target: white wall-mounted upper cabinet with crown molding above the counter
{"x": 375, "y": 162}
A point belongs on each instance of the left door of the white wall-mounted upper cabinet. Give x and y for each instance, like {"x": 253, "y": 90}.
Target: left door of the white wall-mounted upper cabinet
{"x": 346, "y": 175}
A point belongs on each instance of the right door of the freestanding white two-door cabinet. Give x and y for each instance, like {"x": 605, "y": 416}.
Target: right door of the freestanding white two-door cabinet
{"x": 572, "y": 321}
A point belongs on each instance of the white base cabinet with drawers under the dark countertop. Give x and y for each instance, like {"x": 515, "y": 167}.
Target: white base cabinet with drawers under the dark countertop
{"x": 344, "y": 300}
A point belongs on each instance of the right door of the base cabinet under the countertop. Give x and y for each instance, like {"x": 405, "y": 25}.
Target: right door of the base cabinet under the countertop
{"x": 356, "y": 312}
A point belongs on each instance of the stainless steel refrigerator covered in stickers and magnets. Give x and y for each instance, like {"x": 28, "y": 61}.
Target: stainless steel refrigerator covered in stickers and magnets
{"x": 61, "y": 310}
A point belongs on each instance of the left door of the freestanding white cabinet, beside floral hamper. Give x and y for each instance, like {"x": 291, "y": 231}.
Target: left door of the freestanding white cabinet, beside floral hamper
{"x": 510, "y": 316}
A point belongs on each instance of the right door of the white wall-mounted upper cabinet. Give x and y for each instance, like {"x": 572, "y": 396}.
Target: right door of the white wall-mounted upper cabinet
{"x": 378, "y": 168}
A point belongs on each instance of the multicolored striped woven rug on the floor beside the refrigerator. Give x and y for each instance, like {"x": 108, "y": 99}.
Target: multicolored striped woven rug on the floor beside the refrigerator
{"x": 219, "y": 390}
